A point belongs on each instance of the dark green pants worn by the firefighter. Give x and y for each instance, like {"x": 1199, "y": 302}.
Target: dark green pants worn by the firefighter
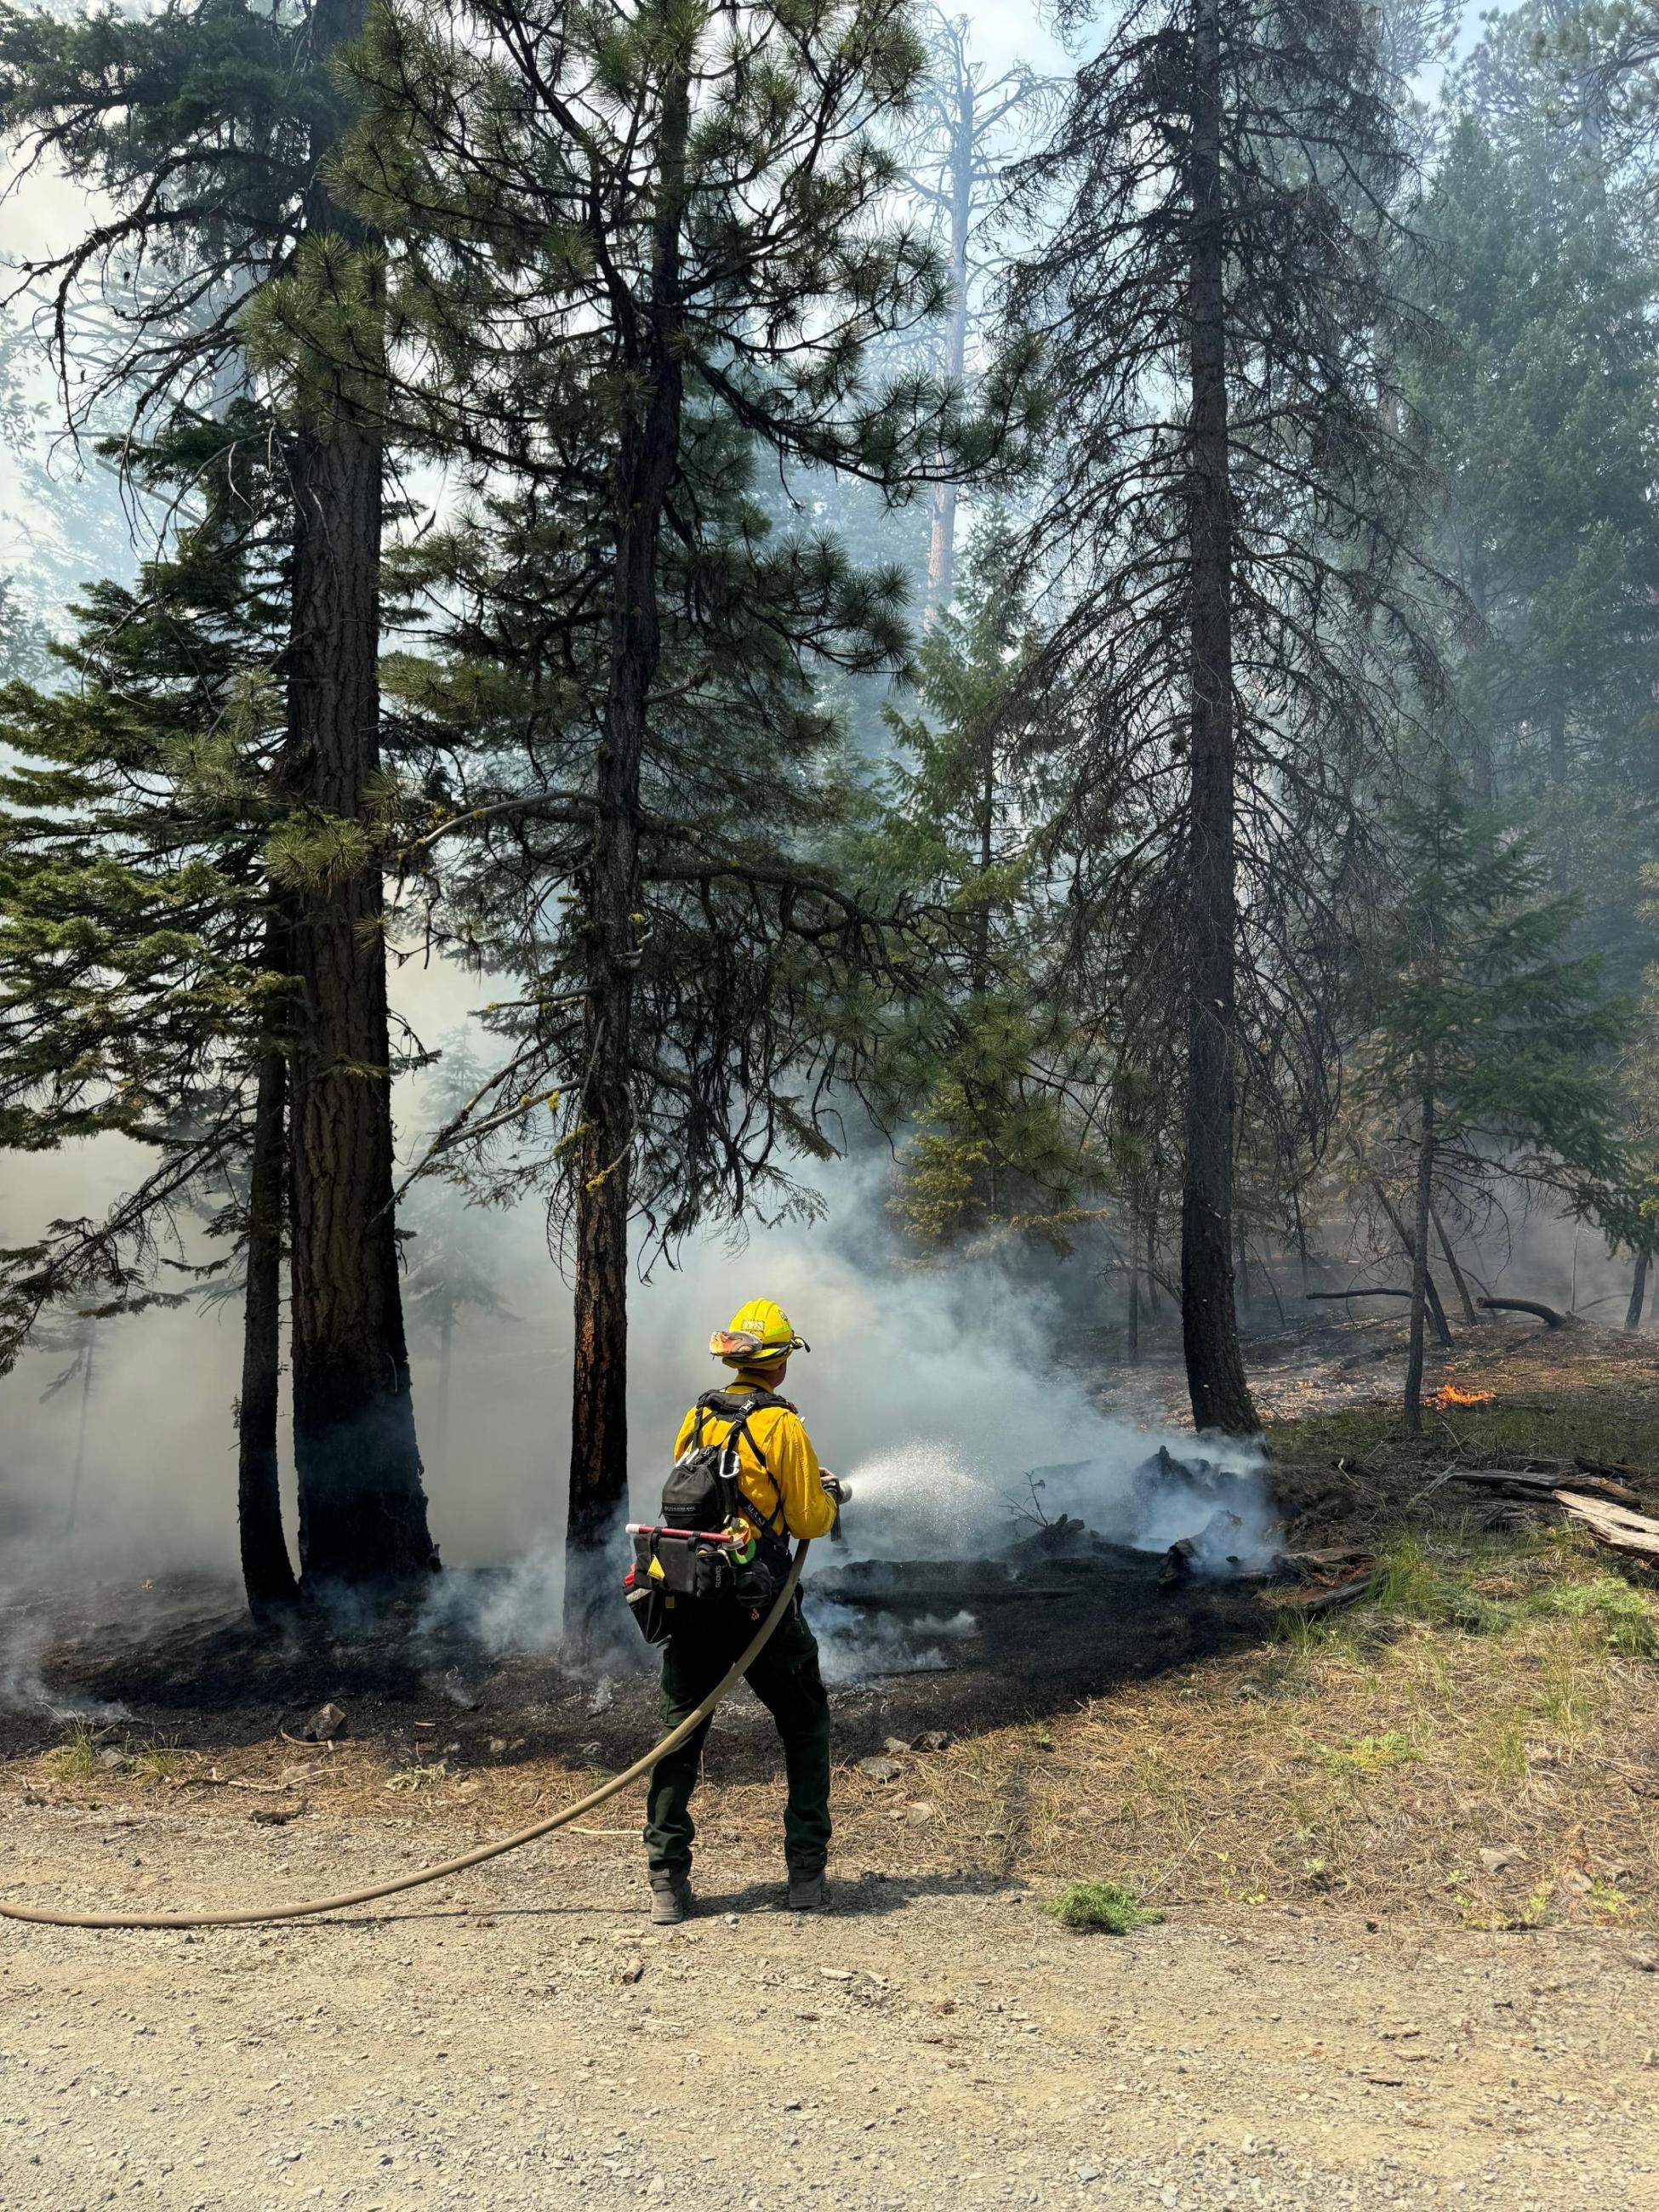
{"x": 789, "y": 1684}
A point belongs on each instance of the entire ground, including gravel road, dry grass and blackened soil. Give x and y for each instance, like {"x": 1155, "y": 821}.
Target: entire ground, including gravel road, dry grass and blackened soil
{"x": 1408, "y": 1864}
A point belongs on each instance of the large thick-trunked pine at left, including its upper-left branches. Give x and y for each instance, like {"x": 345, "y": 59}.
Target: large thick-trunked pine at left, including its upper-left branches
{"x": 207, "y": 134}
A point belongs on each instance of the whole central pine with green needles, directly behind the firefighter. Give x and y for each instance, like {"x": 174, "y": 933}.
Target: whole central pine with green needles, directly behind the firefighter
{"x": 689, "y": 258}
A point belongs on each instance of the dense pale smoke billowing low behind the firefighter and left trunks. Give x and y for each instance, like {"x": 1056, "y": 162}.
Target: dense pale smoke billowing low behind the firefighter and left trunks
{"x": 935, "y": 1392}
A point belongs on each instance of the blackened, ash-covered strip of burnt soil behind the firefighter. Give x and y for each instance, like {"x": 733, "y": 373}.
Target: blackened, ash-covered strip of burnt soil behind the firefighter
{"x": 180, "y": 1665}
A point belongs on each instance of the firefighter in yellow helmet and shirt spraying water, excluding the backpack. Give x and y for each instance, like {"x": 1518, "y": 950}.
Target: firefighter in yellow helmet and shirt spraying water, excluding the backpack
{"x": 780, "y": 1474}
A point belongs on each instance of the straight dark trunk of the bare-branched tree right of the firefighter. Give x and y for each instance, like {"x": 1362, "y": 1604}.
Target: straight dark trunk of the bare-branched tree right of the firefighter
{"x": 1209, "y": 1322}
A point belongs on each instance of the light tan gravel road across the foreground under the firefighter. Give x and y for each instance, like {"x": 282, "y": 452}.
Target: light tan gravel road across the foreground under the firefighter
{"x": 521, "y": 2041}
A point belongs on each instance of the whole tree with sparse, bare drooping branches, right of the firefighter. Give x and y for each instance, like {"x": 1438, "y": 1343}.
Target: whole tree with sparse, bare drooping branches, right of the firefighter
{"x": 1224, "y": 528}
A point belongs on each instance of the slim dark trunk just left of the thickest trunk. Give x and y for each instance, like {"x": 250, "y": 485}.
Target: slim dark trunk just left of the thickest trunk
{"x": 267, "y": 1569}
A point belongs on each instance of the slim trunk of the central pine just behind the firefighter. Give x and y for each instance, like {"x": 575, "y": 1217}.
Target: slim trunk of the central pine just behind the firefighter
{"x": 647, "y": 468}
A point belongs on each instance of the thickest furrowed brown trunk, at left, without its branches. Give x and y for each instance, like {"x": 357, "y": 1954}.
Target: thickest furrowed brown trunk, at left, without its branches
{"x": 362, "y": 1505}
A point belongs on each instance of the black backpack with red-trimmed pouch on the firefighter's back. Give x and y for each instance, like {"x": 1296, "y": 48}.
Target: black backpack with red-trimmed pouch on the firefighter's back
{"x": 713, "y": 1547}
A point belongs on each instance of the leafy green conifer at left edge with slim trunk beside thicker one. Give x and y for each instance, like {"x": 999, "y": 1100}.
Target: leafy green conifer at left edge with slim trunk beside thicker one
{"x": 140, "y": 943}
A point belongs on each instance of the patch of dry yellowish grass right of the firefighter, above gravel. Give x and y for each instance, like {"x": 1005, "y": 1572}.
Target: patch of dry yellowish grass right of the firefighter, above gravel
{"x": 1496, "y": 1700}
